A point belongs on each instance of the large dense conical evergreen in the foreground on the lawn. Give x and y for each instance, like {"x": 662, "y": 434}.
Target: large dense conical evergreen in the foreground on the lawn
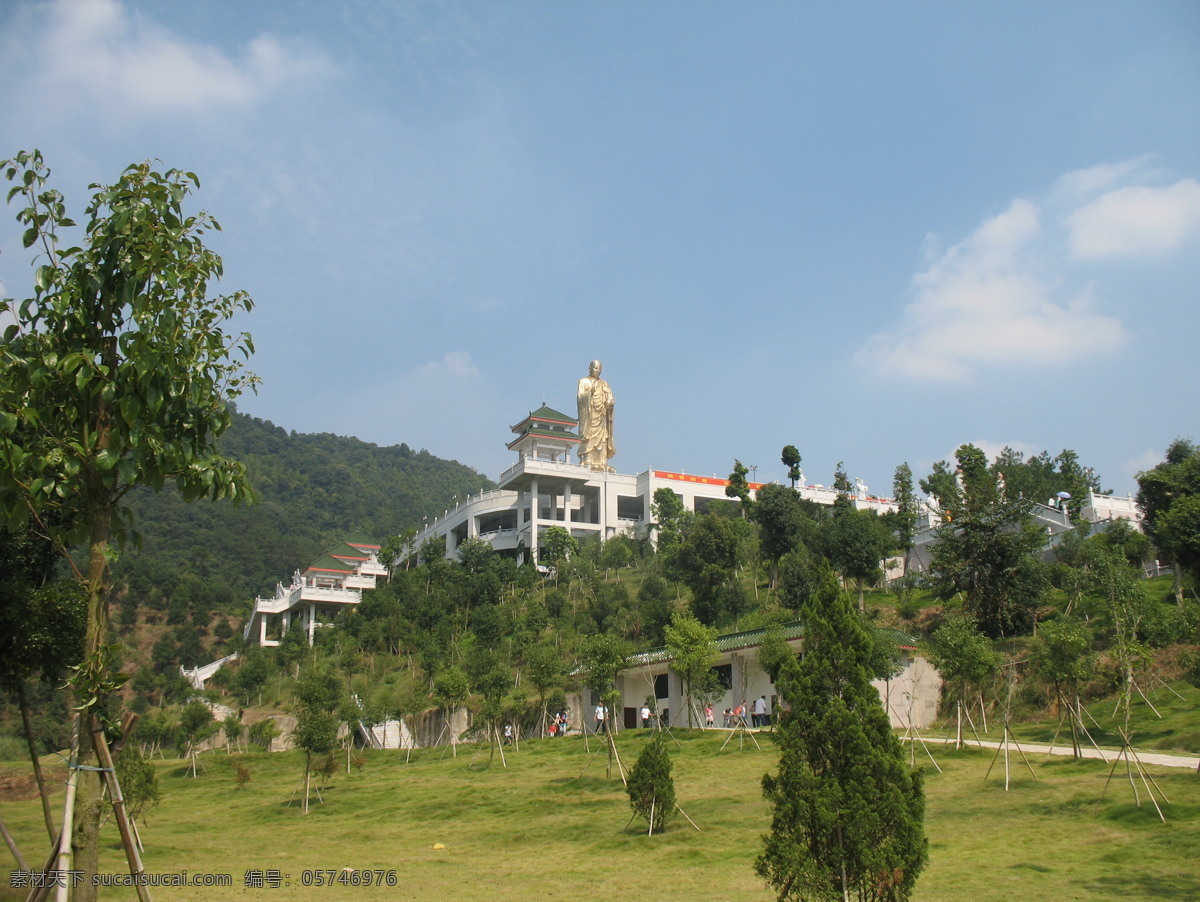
{"x": 848, "y": 816}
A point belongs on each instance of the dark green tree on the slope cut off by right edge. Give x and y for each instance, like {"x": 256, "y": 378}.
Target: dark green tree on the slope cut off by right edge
{"x": 1169, "y": 497}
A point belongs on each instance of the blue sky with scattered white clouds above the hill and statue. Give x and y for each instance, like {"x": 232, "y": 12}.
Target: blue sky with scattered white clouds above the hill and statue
{"x": 874, "y": 231}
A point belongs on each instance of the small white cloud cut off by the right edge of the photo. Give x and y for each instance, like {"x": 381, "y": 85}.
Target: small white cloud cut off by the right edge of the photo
{"x": 1136, "y": 221}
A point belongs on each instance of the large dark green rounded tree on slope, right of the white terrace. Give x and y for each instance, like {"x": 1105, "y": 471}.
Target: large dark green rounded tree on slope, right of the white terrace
{"x": 986, "y": 551}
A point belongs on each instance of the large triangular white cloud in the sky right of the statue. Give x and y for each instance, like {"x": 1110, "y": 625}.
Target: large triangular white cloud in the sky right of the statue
{"x": 989, "y": 303}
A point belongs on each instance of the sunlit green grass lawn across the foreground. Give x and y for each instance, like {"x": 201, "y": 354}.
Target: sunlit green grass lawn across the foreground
{"x": 539, "y": 829}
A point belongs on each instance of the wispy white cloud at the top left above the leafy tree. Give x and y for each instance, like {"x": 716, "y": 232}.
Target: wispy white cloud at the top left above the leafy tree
{"x": 95, "y": 51}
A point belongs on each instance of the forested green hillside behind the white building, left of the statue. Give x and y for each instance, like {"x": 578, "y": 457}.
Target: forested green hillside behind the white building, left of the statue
{"x": 313, "y": 490}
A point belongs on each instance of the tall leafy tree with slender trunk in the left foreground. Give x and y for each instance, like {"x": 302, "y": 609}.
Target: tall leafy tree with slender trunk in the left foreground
{"x": 116, "y": 374}
